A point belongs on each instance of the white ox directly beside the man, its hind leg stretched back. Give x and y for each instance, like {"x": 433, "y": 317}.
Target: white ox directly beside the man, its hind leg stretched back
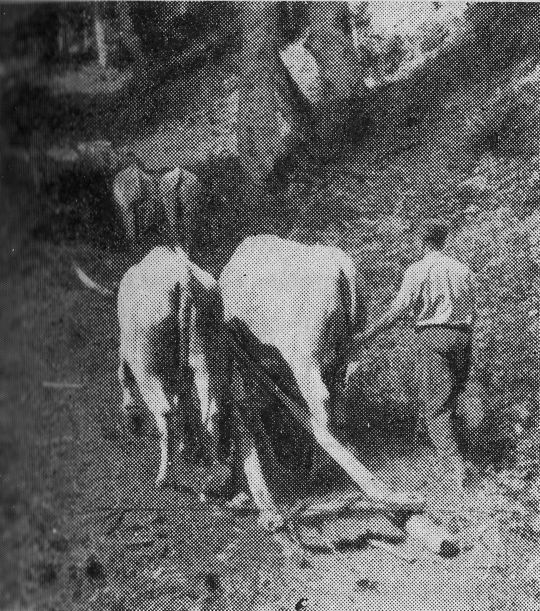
{"x": 303, "y": 301}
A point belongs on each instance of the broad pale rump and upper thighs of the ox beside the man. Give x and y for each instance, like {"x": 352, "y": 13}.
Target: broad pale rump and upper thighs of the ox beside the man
{"x": 296, "y": 302}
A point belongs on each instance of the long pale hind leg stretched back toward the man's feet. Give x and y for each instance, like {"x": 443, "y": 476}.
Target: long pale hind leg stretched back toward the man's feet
{"x": 317, "y": 397}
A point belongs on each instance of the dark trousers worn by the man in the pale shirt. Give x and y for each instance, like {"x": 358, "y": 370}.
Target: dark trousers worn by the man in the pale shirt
{"x": 442, "y": 369}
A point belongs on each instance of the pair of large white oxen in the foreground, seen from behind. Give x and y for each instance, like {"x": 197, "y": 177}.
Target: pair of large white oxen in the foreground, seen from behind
{"x": 282, "y": 302}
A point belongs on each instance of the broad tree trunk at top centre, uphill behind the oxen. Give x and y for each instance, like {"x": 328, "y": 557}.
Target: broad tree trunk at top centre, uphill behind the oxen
{"x": 269, "y": 125}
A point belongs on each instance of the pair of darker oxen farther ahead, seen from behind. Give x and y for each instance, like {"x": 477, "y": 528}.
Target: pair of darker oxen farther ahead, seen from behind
{"x": 144, "y": 198}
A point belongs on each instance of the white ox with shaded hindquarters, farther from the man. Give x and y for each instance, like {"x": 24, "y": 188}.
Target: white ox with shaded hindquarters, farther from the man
{"x": 170, "y": 317}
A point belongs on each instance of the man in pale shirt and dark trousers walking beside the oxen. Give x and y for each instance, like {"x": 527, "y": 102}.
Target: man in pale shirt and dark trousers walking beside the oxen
{"x": 438, "y": 291}
